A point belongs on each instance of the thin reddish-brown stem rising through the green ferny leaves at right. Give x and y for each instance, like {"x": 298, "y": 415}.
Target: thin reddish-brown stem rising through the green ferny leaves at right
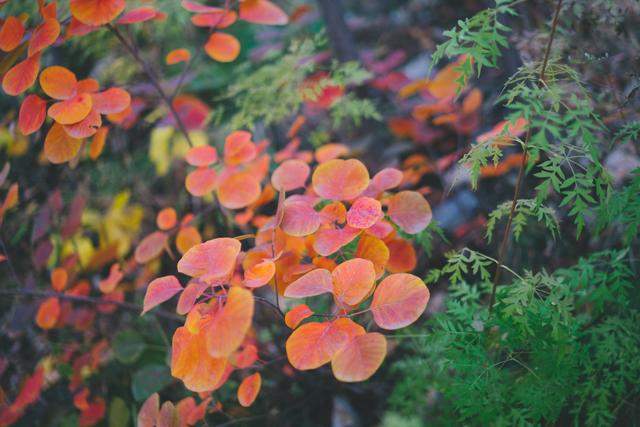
{"x": 520, "y": 180}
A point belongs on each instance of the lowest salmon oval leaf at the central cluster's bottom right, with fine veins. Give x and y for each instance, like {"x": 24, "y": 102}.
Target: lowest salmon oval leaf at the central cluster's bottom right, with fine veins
{"x": 360, "y": 358}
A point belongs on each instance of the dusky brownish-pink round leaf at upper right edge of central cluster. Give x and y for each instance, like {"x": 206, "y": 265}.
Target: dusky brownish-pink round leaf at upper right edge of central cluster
{"x": 410, "y": 211}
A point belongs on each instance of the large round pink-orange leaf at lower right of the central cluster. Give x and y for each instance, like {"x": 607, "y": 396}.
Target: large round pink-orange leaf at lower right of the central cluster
{"x": 399, "y": 300}
